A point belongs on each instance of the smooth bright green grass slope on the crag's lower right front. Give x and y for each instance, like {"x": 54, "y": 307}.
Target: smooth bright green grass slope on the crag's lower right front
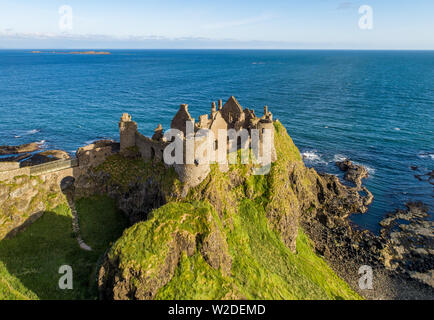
{"x": 261, "y": 260}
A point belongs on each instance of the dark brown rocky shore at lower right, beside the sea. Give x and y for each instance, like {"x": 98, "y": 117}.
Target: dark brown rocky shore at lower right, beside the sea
{"x": 402, "y": 256}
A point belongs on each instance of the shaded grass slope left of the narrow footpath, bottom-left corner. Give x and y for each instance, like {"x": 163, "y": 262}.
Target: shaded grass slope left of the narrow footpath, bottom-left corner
{"x": 35, "y": 256}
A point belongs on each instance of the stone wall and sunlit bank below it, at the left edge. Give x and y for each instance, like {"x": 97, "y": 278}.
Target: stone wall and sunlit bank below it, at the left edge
{"x": 26, "y": 193}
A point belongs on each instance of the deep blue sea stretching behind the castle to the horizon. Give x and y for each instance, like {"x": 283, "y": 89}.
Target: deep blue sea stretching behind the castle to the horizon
{"x": 375, "y": 107}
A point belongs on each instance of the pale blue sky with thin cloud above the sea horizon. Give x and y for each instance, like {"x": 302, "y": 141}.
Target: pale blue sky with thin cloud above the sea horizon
{"x": 222, "y": 24}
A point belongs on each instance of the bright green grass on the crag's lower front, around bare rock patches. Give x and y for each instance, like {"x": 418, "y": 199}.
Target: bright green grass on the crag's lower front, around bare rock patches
{"x": 262, "y": 266}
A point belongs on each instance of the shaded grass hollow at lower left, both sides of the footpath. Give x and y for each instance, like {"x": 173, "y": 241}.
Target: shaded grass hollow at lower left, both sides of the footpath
{"x": 30, "y": 261}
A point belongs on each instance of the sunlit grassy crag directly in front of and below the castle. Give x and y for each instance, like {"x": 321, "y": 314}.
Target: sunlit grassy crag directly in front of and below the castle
{"x": 236, "y": 235}
